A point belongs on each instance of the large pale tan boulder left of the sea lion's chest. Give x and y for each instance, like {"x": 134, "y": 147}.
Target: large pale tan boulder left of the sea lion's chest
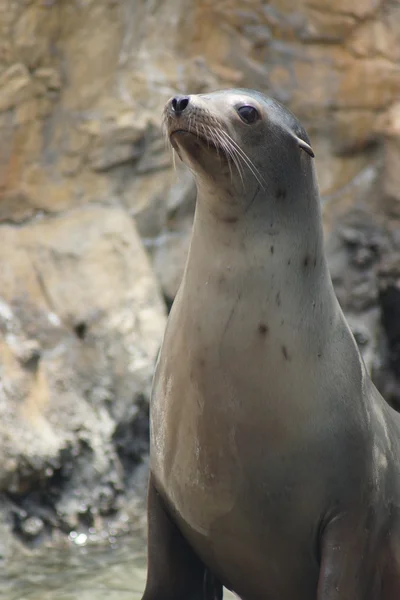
{"x": 81, "y": 321}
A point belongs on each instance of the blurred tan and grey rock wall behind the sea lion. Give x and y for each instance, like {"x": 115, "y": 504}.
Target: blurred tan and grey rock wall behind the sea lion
{"x": 95, "y": 222}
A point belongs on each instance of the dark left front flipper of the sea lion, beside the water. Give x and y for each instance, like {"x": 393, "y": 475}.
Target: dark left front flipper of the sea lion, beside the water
{"x": 174, "y": 572}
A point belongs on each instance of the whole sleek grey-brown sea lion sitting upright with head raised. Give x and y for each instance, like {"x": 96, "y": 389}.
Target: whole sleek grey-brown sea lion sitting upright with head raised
{"x": 275, "y": 462}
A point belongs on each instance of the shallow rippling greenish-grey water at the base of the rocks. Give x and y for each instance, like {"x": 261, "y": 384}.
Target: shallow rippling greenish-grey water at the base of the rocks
{"x": 88, "y": 573}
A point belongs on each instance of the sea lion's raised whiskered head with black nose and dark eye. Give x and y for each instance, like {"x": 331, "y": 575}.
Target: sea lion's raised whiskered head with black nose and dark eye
{"x": 240, "y": 144}
